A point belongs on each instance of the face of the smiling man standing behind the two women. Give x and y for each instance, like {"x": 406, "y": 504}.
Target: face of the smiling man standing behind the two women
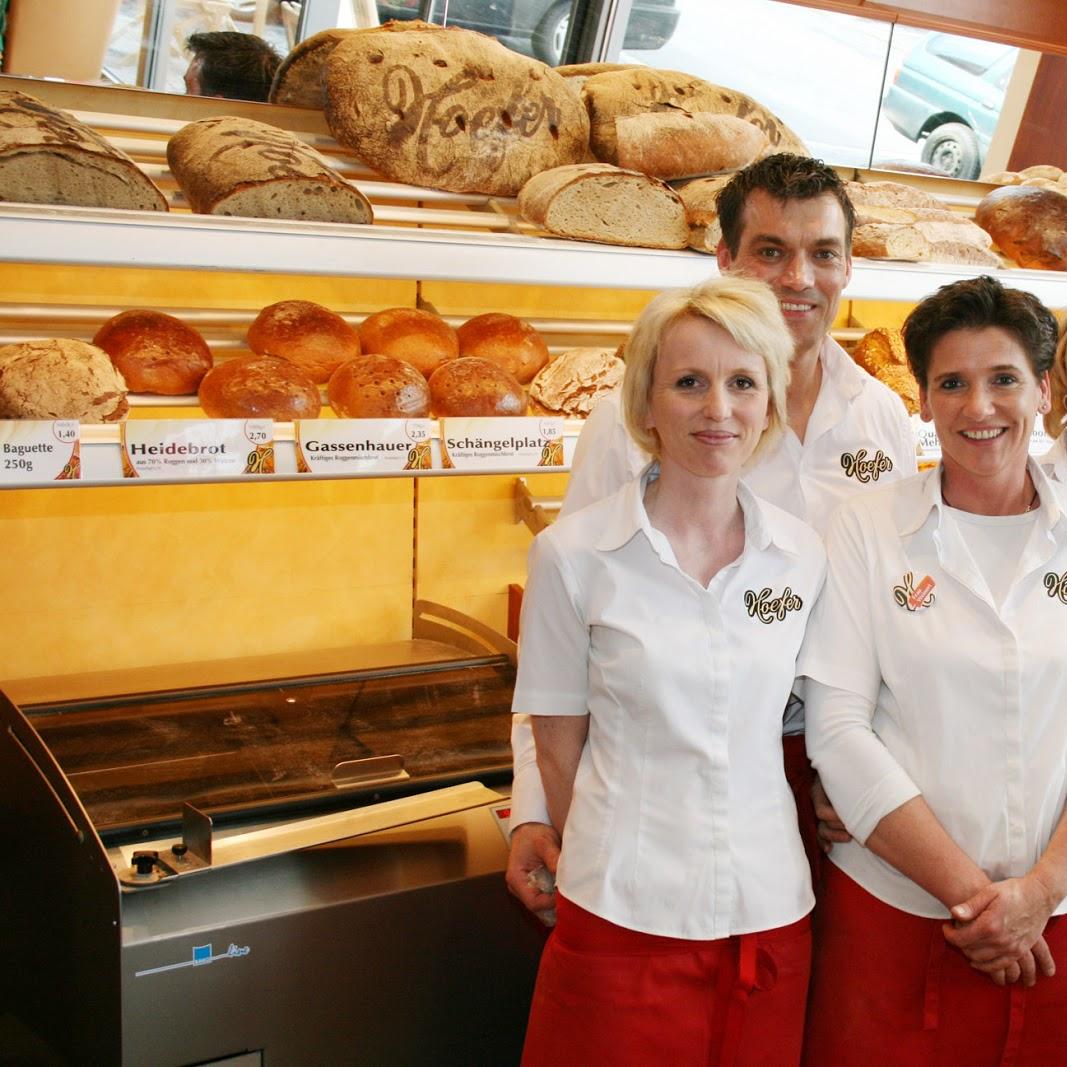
{"x": 799, "y": 248}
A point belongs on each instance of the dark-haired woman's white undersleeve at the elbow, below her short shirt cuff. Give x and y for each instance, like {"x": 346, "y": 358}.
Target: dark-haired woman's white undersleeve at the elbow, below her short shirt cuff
{"x": 863, "y": 781}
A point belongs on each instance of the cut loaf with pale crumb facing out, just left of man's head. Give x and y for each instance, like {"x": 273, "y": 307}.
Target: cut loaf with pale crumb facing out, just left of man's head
{"x": 598, "y": 202}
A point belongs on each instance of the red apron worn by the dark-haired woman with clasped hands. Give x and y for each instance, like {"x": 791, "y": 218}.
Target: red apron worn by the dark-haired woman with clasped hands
{"x": 887, "y": 989}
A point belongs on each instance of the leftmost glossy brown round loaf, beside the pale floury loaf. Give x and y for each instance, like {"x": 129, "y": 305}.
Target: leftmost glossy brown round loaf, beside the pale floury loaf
{"x": 155, "y": 353}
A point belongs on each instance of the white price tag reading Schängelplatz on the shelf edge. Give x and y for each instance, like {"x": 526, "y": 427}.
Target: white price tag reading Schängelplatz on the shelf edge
{"x": 502, "y": 444}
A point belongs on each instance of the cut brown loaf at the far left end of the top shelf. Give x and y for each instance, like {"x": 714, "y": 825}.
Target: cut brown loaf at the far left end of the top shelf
{"x": 50, "y": 157}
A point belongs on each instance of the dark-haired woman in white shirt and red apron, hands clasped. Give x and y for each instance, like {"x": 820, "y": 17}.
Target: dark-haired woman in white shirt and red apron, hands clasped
{"x": 937, "y": 720}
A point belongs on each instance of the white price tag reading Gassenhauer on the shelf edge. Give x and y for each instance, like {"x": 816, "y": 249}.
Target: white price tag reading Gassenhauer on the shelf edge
{"x": 363, "y": 445}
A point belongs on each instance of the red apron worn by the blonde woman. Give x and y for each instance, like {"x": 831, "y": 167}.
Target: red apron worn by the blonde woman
{"x": 607, "y": 995}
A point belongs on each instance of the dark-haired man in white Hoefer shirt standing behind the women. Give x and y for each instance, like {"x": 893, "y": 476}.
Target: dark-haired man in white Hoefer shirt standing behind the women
{"x": 788, "y": 221}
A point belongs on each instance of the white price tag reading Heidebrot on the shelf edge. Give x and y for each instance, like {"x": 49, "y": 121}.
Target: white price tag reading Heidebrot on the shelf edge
{"x": 201, "y": 449}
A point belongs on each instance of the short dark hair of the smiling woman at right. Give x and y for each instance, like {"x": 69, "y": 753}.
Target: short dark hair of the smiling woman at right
{"x": 976, "y": 304}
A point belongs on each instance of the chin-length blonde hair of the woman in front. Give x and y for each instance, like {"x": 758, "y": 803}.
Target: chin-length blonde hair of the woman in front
{"x": 747, "y": 311}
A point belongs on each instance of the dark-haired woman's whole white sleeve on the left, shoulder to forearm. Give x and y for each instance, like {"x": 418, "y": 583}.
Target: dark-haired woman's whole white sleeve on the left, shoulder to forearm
{"x": 840, "y": 659}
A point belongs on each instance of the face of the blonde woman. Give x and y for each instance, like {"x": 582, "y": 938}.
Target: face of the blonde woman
{"x": 709, "y": 401}
